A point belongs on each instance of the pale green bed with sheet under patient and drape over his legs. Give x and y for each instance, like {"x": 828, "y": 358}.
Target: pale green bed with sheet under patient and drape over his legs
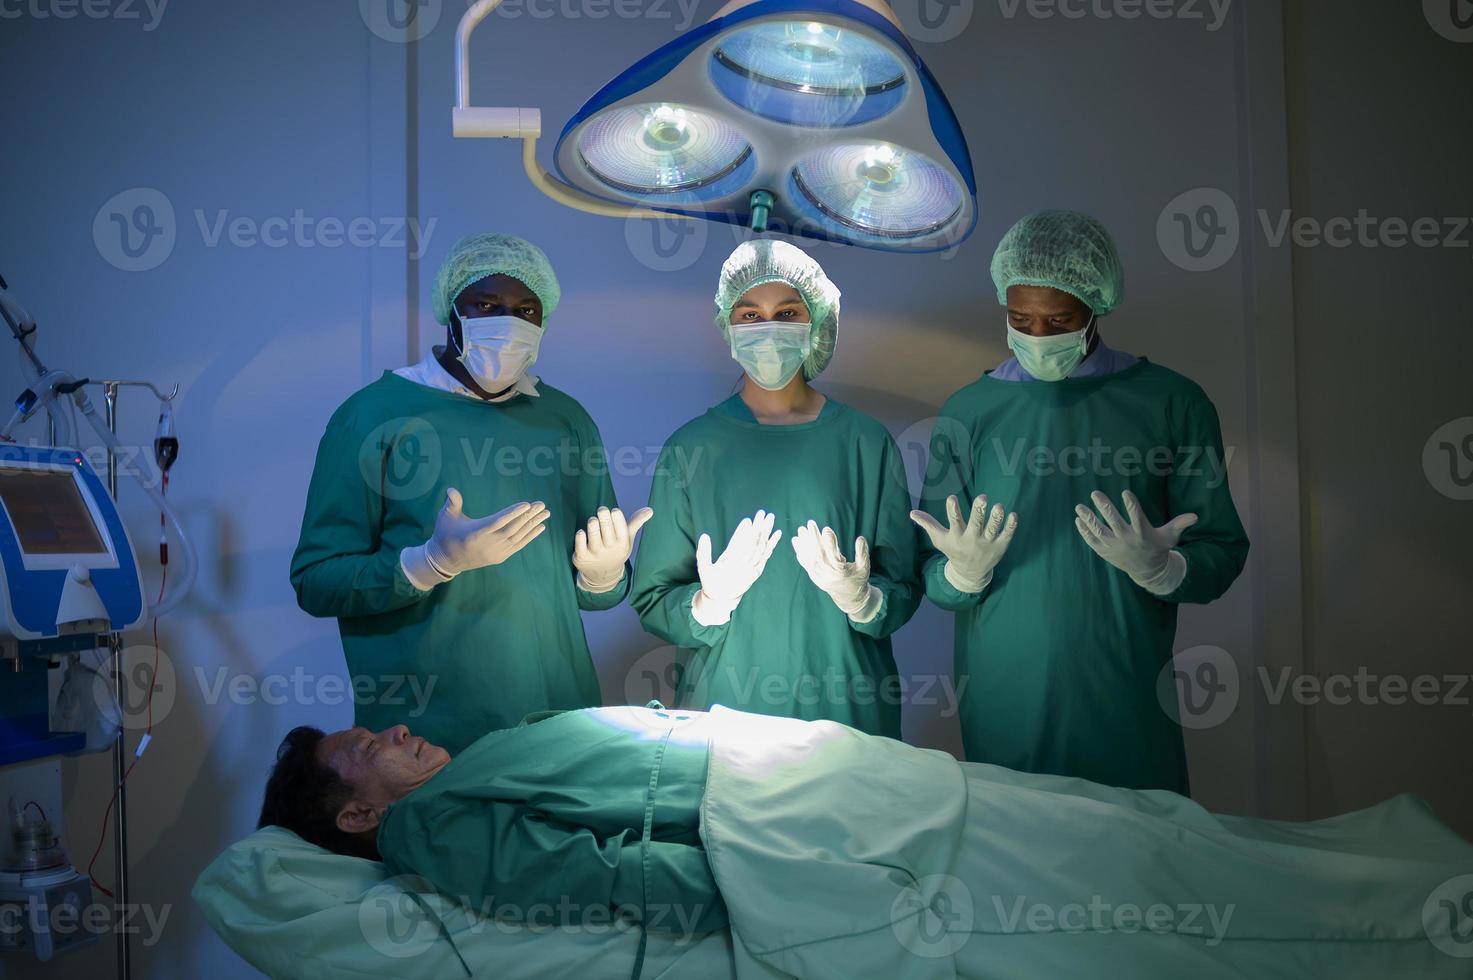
{"x": 845, "y": 857}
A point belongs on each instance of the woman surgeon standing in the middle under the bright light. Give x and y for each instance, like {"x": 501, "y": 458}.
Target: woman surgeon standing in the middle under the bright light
{"x": 799, "y": 630}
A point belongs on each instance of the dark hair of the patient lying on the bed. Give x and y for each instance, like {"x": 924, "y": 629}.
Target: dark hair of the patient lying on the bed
{"x": 304, "y": 797}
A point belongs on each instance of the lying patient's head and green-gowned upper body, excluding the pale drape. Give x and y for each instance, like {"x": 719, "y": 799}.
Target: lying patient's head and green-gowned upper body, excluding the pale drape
{"x": 546, "y": 817}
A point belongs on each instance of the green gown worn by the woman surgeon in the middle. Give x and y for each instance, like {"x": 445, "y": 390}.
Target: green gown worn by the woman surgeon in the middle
{"x": 787, "y": 649}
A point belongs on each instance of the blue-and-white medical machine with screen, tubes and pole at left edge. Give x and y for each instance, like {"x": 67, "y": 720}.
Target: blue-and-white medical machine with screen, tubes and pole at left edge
{"x": 70, "y": 586}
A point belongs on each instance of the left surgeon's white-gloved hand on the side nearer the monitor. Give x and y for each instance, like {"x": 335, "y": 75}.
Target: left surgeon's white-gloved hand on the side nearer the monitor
{"x": 462, "y": 543}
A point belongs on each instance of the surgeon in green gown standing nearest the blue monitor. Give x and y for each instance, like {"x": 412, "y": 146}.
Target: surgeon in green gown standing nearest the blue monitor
{"x": 462, "y": 514}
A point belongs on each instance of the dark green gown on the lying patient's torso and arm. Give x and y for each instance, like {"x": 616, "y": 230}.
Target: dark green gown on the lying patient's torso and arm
{"x": 565, "y": 822}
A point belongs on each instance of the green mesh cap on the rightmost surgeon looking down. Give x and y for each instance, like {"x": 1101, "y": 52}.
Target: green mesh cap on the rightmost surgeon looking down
{"x": 1064, "y": 250}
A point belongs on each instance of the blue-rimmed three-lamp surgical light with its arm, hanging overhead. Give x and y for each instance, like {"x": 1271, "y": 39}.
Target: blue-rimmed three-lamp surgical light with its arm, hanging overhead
{"x": 804, "y": 117}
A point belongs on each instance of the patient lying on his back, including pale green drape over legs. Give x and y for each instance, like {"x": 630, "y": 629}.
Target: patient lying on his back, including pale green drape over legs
{"x": 818, "y": 845}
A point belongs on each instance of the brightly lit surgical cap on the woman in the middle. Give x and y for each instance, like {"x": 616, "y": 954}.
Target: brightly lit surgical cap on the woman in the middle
{"x": 770, "y": 262}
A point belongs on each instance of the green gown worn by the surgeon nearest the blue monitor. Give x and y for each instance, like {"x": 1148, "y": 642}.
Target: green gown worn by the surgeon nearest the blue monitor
{"x": 493, "y": 645}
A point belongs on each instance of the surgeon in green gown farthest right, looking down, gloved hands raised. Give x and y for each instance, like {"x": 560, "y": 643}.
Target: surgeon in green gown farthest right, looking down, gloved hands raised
{"x": 1117, "y": 481}
